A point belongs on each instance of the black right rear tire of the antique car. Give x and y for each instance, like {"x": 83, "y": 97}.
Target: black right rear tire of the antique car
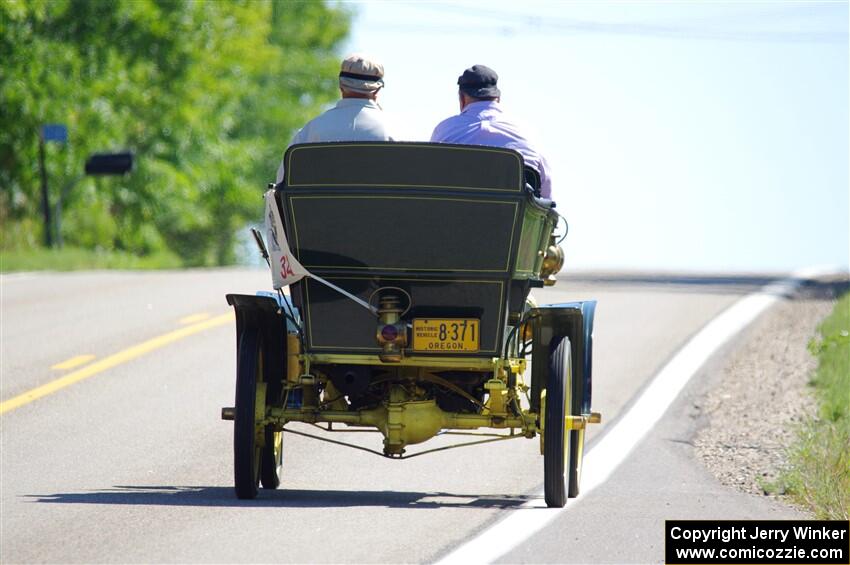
{"x": 555, "y": 436}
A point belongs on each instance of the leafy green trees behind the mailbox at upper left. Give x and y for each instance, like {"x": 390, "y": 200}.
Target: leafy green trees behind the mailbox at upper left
{"x": 206, "y": 93}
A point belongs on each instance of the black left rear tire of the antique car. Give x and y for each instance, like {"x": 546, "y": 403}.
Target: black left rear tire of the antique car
{"x": 246, "y": 452}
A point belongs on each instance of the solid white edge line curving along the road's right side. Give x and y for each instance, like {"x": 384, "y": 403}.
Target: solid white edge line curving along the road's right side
{"x": 613, "y": 448}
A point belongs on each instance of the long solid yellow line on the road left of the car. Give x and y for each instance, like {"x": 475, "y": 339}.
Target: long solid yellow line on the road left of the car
{"x": 112, "y": 361}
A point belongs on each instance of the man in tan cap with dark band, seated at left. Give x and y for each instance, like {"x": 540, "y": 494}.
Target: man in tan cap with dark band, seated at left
{"x": 357, "y": 116}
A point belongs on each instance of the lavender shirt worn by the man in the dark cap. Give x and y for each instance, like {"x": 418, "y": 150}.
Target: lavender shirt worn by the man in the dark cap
{"x": 484, "y": 123}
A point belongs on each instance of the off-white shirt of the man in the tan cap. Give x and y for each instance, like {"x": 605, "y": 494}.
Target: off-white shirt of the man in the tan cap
{"x": 352, "y": 119}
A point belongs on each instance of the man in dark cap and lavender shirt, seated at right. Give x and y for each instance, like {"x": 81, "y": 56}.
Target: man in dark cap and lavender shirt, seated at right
{"x": 482, "y": 122}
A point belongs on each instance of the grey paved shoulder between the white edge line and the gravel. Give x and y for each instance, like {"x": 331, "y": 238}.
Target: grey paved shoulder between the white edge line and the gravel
{"x": 664, "y": 478}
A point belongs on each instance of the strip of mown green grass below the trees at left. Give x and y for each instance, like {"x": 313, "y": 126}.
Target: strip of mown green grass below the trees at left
{"x": 74, "y": 259}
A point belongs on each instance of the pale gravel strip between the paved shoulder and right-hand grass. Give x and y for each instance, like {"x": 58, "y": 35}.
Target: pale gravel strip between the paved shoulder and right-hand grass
{"x": 760, "y": 395}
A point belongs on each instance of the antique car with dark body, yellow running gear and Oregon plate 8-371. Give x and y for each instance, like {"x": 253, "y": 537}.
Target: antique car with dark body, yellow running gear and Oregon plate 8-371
{"x": 416, "y": 319}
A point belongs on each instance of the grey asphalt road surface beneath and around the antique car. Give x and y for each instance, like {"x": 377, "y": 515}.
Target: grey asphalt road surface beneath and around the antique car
{"x": 133, "y": 464}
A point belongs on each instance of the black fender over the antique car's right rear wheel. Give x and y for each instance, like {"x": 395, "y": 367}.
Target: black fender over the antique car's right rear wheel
{"x": 575, "y": 321}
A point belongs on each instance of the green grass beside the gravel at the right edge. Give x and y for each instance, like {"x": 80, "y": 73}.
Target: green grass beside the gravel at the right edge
{"x": 818, "y": 475}
